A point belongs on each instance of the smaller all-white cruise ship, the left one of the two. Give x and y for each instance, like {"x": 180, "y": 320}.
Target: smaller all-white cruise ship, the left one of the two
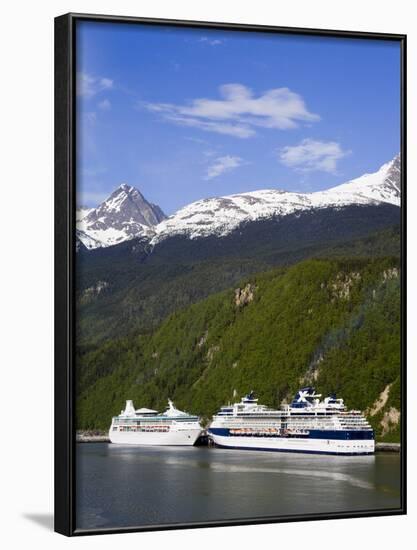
{"x": 147, "y": 427}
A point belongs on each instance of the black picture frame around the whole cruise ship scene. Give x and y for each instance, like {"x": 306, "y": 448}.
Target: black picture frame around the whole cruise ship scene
{"x": 65, "y": 186}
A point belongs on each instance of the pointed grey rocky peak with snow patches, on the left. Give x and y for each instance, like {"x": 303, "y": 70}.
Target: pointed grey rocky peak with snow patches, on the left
{"x": 124, "y": 215}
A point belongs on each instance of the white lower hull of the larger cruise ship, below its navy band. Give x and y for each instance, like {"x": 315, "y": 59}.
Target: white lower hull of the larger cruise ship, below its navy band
{"x": 296, "y": 445}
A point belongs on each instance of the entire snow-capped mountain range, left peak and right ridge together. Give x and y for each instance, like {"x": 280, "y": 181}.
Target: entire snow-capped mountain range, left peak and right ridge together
{"x": 127, "y": 214}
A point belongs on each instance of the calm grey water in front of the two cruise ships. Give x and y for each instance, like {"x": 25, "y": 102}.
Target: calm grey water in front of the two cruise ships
{"x": 121, "y": 486}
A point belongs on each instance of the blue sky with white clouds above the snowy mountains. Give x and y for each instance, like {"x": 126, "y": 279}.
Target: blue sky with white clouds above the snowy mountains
{"x": 183, "y": 114}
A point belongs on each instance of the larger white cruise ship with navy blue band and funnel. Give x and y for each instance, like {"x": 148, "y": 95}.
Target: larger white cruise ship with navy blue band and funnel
{"x": 307, "y": 425}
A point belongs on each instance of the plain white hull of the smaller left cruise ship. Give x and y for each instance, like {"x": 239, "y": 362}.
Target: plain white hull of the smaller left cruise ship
{"x": 171, "y": 438}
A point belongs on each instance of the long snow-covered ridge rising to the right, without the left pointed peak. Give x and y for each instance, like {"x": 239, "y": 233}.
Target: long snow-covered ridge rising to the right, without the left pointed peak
{"x": 221, "y": 215}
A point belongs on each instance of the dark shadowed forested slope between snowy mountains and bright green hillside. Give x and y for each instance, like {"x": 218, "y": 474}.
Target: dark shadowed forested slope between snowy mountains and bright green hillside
{"x": 132, "y": 287}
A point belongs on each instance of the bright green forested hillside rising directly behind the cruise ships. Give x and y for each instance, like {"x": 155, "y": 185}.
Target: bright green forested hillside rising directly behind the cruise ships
{"x": 331, "y": 322}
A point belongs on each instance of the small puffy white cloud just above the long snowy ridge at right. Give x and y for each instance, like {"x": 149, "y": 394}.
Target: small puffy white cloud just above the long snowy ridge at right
{"x": 313, "y": 155}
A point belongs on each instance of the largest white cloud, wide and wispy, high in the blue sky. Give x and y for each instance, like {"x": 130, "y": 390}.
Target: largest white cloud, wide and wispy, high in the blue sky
{"x": 238, "y": 113}
